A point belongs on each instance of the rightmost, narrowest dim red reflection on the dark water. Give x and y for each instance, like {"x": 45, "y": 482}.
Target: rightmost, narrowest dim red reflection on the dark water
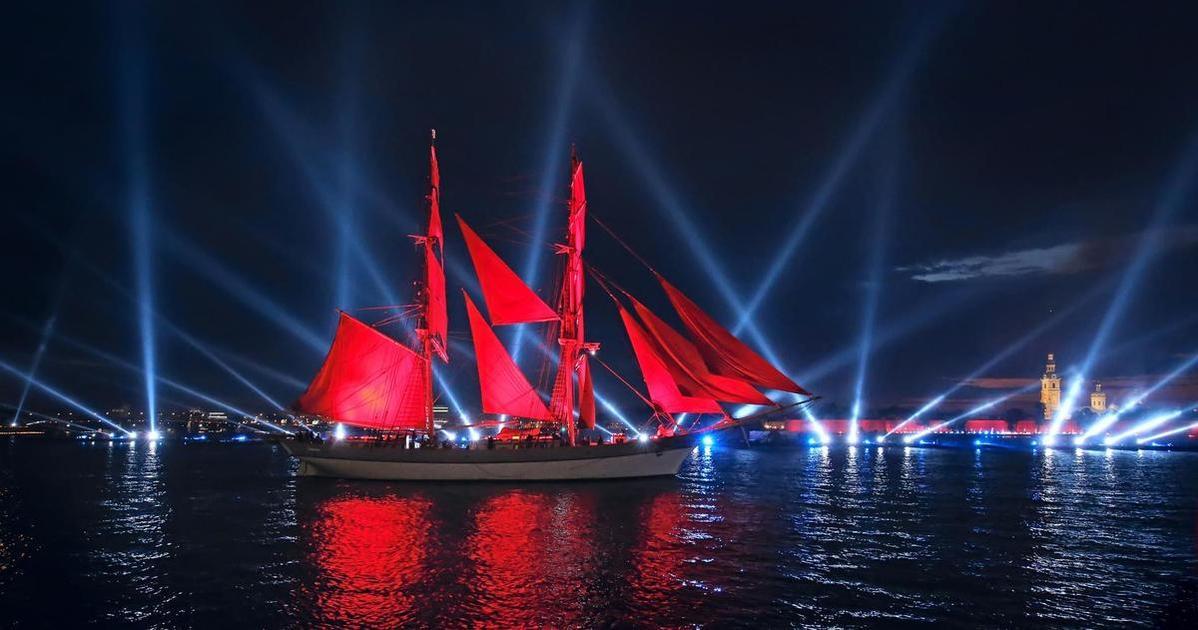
{"x": 659, "y": 555}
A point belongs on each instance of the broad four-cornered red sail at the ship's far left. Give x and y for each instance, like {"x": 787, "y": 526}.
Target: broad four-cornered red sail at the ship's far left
{"x": 368, "y": 380}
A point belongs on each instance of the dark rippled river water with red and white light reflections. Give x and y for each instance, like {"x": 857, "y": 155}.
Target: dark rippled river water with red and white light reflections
{"x": 227, "y": 536}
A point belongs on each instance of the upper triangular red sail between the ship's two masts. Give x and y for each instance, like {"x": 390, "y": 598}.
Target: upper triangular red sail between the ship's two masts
{"x": 509, "y": 300}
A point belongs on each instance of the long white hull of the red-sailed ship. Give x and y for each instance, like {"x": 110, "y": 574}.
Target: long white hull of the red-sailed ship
{"x": 513, "y": 467}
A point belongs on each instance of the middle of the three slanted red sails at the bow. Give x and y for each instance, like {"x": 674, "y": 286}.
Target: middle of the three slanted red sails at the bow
{"x": 686, "y": 365}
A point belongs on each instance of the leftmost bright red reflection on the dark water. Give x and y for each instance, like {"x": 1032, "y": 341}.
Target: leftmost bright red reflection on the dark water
{"x": 371, "y": 554}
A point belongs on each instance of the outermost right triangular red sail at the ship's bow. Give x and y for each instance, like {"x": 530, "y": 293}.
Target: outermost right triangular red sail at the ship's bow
{"x": 723, "y": 353}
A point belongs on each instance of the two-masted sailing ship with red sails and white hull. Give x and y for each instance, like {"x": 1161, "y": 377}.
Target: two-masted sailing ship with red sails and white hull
{"x": 384, "y": 386}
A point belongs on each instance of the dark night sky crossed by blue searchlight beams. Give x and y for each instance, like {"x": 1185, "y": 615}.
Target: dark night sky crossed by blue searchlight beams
{"x": 978, "y": 172}
